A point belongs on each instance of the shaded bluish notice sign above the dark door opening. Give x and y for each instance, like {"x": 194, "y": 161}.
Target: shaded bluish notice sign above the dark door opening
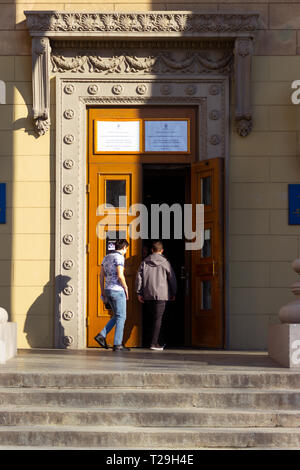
{"x": 166, "y": 136}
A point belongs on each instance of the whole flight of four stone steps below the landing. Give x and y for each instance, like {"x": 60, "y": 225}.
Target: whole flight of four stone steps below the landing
{"x": 150, "y": 410}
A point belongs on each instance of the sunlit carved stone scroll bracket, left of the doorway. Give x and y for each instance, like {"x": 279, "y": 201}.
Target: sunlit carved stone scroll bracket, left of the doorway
{"x": 41, "y": 83}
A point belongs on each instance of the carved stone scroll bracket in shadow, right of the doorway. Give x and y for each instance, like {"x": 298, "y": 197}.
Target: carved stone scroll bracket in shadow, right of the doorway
{"x": 243, "y": 55}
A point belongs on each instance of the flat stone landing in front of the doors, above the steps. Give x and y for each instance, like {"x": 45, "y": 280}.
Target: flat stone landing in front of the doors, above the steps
{"x": 170, "y": 360}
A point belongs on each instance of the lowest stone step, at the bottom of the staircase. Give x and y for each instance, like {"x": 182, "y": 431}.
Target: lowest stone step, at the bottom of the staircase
{"x": 166, "y": 438}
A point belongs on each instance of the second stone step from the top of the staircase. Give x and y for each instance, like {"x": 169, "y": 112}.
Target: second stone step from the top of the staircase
{"x": 151, "y": 398}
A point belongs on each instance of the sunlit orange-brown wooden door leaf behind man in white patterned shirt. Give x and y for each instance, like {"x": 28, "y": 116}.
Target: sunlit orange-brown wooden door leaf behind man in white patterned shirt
{"x": 107, "y": 184}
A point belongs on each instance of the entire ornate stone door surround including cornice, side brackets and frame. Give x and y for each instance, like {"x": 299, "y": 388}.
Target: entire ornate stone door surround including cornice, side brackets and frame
{"x": 175, "y": 58}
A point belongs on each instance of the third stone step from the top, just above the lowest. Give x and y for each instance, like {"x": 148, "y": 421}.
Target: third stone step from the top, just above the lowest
{"x": 30, "y": 415}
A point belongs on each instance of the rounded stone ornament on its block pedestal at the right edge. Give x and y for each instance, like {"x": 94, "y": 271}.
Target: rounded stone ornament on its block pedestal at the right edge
{"x": 284, "y": 338}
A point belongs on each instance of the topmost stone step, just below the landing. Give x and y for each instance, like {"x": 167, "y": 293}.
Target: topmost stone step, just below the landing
{"x": 93, "y": 379}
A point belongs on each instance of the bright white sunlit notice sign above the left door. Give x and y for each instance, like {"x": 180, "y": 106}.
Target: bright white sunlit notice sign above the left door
{"x": 118, "y": 136}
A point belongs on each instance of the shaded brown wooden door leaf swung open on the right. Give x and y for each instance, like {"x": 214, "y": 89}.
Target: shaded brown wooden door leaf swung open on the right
{"x": 207, "y": 264}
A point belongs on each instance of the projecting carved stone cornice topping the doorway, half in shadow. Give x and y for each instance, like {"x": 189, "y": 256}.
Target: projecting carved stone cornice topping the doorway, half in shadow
{"x": 149, "y": 24}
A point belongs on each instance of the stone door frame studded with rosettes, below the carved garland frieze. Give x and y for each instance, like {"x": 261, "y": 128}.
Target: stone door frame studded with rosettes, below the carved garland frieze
{"x": 72, "y": 99}
